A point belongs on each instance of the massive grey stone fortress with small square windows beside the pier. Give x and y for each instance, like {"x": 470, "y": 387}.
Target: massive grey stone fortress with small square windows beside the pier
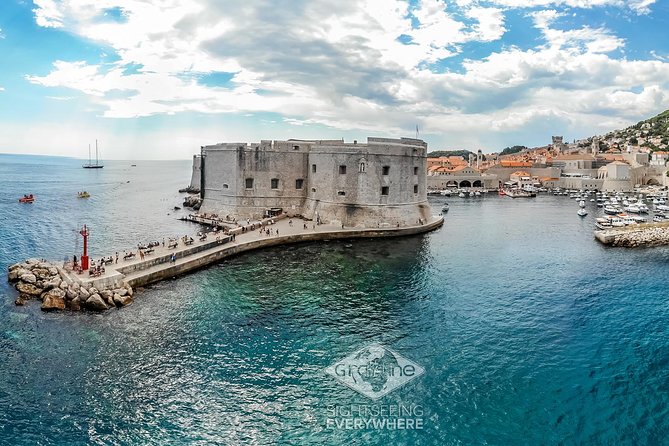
{"x": 377, "y": 184}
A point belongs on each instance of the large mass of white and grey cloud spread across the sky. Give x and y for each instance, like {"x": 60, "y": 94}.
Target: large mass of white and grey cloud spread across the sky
{"x": 372, "y": 65}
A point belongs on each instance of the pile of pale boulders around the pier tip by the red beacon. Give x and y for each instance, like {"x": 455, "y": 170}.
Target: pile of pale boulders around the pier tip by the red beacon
{"x": 37, "y": 279}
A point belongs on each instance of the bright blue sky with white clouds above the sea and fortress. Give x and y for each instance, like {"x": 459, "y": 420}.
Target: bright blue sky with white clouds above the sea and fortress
{"x": 157, "y": 79}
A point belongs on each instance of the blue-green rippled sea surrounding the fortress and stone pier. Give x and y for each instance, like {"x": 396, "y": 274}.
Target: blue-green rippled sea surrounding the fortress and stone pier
{"x": 529, "y": 331}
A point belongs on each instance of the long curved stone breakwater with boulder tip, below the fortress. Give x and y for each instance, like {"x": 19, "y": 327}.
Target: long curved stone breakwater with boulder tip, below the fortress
{"x": 115, "y": 287}
